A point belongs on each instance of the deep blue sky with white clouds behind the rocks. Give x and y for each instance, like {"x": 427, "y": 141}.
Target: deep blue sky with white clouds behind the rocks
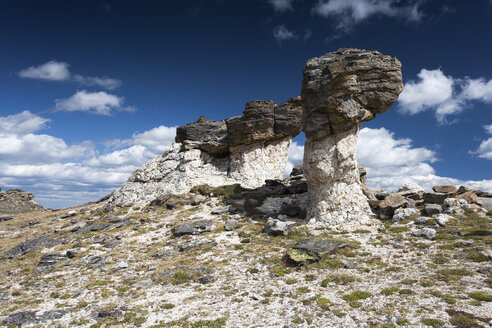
{"x": 91, "y": 89}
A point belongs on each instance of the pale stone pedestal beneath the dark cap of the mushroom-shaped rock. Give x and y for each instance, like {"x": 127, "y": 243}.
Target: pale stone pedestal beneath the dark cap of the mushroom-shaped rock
{"x": 334, "y": 186}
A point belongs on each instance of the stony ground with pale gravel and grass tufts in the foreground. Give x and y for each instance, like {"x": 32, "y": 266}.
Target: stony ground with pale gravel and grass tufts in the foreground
{"x": 141, "y": 267}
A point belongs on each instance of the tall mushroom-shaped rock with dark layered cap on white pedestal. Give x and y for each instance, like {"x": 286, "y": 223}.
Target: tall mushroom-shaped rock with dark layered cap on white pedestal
{"x": 339, "y": 91}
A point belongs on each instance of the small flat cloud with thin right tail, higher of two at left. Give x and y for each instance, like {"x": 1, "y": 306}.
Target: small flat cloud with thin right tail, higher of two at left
{"x": 58, "y": 71}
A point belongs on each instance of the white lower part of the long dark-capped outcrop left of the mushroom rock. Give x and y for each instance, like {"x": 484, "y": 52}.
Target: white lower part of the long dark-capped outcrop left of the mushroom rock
{"x": 179, "y": 169}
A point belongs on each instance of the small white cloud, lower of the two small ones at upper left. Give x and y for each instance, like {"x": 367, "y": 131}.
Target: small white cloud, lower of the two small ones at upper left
{"x": 100, "y": 103}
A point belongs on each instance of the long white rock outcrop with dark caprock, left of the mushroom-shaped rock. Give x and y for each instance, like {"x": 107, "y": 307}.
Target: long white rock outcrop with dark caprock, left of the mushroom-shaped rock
{"x": 246, "y": 149}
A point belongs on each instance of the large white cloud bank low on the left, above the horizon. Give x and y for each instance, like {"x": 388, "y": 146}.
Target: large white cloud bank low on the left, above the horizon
{"x": 67, "y": 175}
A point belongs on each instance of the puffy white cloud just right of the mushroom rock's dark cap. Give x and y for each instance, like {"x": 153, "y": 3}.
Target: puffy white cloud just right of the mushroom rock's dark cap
{"x": 443, "y": 94}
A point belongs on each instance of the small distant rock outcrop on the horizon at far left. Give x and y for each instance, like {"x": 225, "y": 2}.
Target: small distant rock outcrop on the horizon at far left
{"x": 15, "y": 201}
